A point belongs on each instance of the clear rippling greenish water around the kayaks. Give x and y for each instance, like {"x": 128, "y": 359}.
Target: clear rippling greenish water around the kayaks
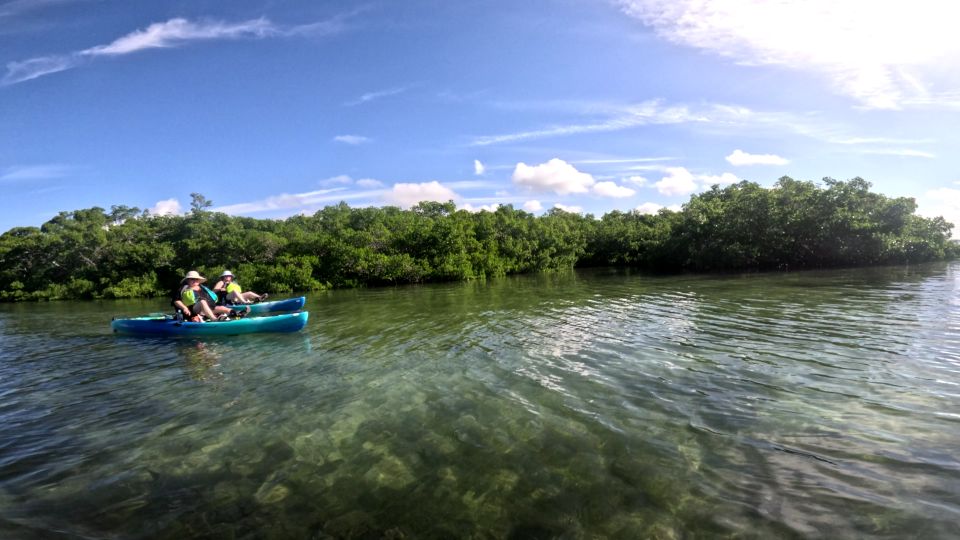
{"x": 588, "y": 405}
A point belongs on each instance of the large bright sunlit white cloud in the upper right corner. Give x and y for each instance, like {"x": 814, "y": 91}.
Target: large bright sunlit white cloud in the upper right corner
{"x": 882, "y": 54}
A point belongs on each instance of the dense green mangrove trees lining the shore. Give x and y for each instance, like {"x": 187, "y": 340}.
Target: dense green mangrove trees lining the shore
{"x": 126, "y": 253}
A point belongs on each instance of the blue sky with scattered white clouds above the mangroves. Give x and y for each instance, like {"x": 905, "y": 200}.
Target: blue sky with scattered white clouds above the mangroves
{"x": 272, "y": 108}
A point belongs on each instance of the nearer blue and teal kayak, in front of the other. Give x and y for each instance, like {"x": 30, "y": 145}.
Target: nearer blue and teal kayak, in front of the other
{"x": 163, "y": 326}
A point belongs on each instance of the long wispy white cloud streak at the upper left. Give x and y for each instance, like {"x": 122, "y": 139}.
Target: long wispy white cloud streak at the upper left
{"x": 172, "y": 33}
